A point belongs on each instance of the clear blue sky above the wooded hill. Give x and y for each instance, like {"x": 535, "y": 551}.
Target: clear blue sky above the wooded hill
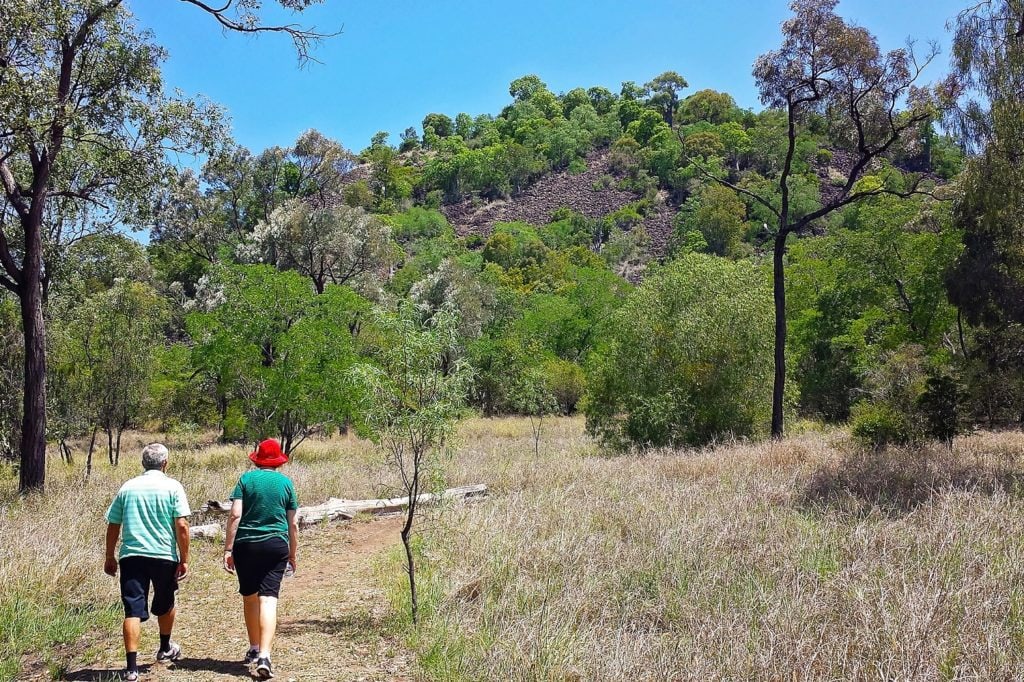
{"x": 398, "y": 61}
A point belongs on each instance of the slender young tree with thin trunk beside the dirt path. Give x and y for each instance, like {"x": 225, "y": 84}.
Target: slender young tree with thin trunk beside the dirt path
{"x": 412, "y": 400}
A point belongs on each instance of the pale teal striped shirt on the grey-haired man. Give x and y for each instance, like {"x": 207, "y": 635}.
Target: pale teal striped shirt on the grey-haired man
{"x": 147, "y": 507}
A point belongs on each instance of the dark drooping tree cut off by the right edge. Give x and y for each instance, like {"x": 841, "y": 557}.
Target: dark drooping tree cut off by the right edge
{"x": 988, "y": 282}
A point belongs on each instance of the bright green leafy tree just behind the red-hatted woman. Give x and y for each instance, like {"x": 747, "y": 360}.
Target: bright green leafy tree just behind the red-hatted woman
{"x": 267, "y": 342}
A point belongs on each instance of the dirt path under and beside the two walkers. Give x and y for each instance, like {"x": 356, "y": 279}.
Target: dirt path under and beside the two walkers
{"x": 332, "y": 618}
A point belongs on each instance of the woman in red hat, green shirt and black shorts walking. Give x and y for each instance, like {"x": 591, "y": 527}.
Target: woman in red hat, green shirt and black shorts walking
{"x": 261, "y": 545}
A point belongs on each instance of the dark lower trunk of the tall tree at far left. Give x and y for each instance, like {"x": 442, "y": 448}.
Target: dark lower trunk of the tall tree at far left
{"x": 33, "y": 471}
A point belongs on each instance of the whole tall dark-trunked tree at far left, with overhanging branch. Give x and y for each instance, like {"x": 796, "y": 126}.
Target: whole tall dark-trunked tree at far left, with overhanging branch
{"x": 84, "y": 130}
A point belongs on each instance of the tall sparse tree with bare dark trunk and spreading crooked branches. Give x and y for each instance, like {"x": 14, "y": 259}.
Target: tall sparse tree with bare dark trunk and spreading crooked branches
{"x": 829, "y": 68}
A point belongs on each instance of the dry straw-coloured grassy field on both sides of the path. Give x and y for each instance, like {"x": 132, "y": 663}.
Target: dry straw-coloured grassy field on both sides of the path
{"x": 806, "y": 560}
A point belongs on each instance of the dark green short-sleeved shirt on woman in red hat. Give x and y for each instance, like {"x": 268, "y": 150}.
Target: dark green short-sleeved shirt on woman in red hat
{"x": 267, "y": 496}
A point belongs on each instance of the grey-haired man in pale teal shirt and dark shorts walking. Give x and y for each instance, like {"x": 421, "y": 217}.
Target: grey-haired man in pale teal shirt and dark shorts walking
{"x": 150, "y": 514}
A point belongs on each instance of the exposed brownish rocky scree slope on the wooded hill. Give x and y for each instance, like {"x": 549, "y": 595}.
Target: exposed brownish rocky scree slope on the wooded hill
{"x": 538, "y": 204}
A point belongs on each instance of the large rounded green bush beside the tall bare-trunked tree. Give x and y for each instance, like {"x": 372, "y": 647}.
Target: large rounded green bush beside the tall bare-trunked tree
{"x": 688, "y": 360}
